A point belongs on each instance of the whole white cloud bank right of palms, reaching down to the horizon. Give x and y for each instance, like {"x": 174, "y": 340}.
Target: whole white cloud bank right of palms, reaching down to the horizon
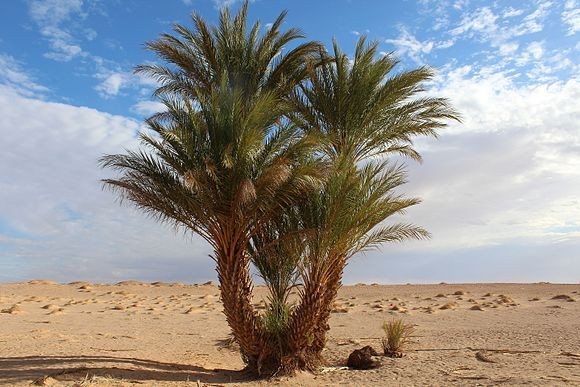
{"x": 500, "y": 190}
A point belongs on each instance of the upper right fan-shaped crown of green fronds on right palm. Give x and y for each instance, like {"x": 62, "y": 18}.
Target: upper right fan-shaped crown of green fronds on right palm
{"x": 366, "y": 111}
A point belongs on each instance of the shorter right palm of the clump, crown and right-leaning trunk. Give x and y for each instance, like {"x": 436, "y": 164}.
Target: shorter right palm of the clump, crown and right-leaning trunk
{"x": 363, "y": 115}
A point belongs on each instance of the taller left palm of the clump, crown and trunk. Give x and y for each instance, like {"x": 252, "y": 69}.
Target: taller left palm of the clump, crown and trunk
{"x": 222, "y": 160}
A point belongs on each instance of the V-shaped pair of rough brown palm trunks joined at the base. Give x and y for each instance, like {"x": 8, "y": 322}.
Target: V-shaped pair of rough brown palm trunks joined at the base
{"x": 306, "y": 335}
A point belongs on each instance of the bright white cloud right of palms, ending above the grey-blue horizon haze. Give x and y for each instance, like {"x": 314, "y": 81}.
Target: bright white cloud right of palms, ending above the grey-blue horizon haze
{"x": 510, "y": 171}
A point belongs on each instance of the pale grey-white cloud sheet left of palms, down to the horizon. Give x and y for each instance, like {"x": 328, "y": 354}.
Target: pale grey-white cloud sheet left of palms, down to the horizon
{"x": 57, "y": 222}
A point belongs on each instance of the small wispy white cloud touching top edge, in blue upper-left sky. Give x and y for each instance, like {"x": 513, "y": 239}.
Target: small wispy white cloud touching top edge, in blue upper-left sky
{"x": 50, "y": 15}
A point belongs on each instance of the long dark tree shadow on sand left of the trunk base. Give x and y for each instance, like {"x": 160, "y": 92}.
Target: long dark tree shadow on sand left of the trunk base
{"x": 67, "y": 368}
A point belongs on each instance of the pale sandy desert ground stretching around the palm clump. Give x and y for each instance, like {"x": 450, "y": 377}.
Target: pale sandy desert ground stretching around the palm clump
{"x": 175, "y": 335}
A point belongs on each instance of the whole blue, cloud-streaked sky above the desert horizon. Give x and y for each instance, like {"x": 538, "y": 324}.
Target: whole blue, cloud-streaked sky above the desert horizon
{"x": 501, "y": 190}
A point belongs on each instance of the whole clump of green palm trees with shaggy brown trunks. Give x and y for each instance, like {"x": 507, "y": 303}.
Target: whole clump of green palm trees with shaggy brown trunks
{"x": 278, "y": 158}
